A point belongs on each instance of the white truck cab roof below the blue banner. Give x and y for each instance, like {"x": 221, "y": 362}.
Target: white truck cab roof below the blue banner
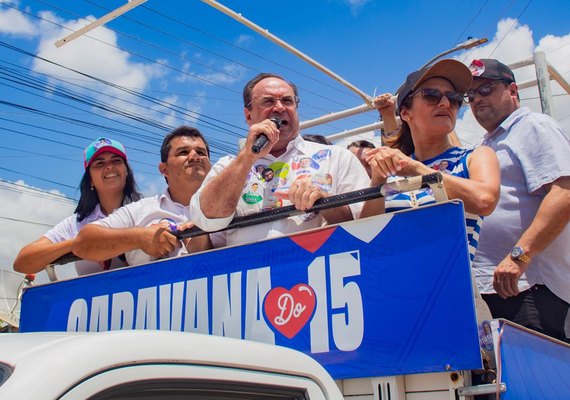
{"x": 155, "y": 365}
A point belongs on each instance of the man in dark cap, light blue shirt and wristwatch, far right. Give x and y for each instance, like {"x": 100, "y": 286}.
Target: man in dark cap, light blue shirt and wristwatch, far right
{"x": 523, "y": 261}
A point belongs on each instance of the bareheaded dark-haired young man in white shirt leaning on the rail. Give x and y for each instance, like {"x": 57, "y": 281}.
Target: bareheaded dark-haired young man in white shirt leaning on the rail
{"x": 143, "y": 230}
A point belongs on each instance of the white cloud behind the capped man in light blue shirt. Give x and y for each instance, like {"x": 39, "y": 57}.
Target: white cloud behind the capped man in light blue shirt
{"x": 514, "y": 42}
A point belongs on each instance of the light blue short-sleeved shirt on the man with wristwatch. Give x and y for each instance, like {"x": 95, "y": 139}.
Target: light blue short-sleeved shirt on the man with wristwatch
{"x": 533, "y": 151}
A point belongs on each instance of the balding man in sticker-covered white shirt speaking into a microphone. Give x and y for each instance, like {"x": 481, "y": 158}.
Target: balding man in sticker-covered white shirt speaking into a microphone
{"x": 303, "y": 171}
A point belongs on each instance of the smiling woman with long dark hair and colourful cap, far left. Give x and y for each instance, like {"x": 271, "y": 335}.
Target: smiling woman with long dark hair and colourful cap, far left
{"x": 107, "y": 184}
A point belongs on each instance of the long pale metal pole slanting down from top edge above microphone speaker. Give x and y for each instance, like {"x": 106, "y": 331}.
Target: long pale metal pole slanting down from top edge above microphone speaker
{"x": 287, "y": 46}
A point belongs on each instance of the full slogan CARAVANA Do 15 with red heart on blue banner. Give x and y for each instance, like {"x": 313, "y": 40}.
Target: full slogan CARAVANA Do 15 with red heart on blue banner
{"x": 330, "y": 303}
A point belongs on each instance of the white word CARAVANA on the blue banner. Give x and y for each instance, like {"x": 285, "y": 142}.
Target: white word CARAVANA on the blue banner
{"x": 182, "y": 306}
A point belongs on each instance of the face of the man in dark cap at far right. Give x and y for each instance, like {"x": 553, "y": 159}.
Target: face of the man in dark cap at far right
{"x": 491, "y": 110}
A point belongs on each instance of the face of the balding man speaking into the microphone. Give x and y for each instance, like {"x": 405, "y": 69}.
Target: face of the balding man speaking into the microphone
{"x": 276, "y": 88}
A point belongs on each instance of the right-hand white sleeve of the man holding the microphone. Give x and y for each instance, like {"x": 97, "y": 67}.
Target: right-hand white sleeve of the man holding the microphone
{"x": 351, "y": 176}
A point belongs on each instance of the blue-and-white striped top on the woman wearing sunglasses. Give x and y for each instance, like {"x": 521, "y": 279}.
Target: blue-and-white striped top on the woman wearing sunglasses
{"x": 453, "y": 162}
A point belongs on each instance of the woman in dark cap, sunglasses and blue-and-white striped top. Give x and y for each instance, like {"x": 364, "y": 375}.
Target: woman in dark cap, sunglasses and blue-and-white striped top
{"x": 429, "y": 101}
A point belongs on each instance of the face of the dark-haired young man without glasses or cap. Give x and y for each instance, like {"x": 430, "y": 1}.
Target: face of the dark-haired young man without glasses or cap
{"x": 187, "y": 161}
